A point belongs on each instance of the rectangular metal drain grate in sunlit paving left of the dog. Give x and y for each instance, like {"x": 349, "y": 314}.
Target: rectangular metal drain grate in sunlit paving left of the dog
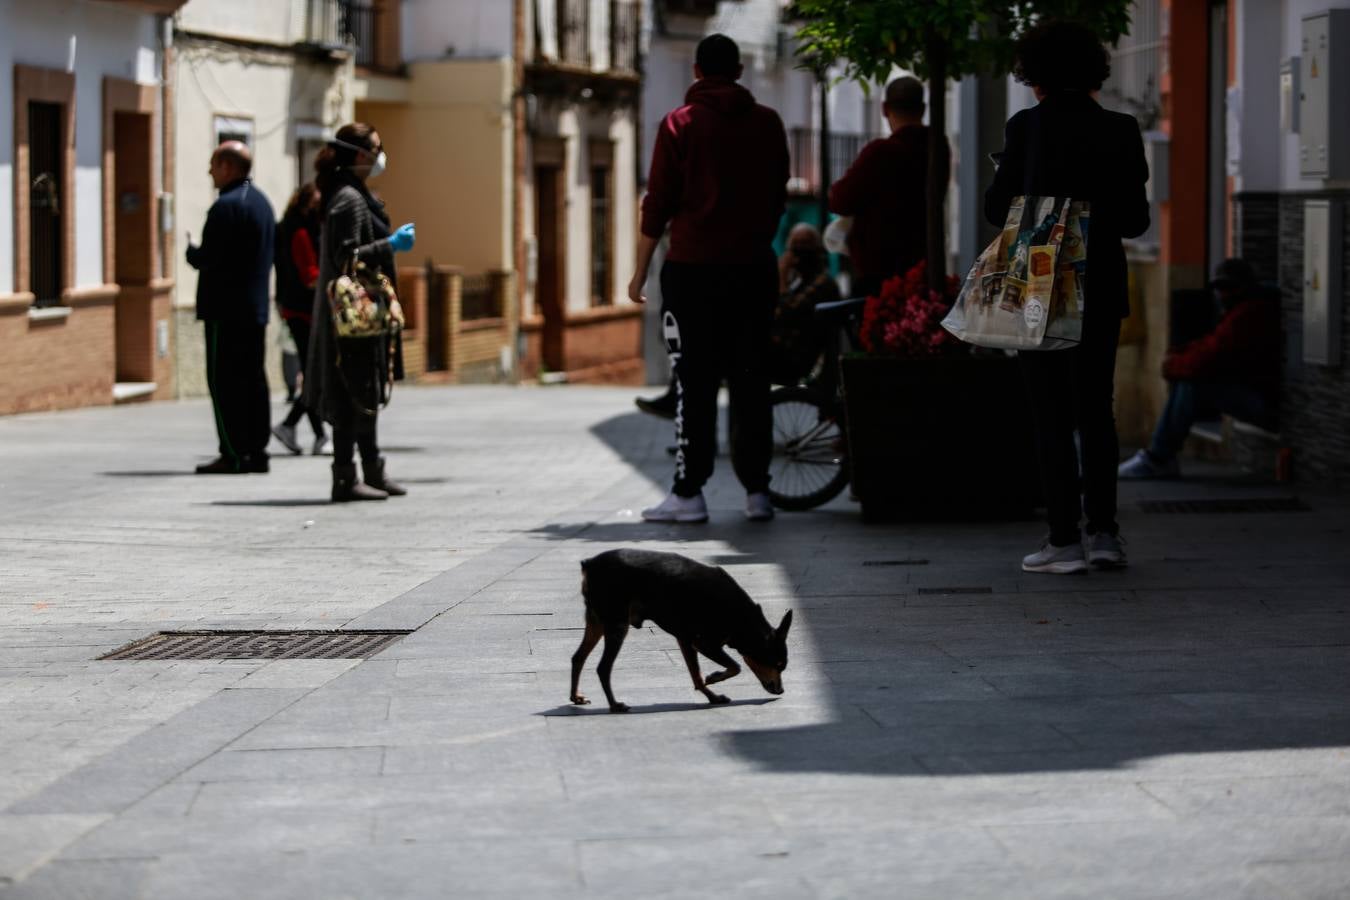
{"x": 257, "y": 646}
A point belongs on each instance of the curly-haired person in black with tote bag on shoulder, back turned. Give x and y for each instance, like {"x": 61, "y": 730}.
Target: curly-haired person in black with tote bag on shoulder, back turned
{"x": 1069, "y": 146}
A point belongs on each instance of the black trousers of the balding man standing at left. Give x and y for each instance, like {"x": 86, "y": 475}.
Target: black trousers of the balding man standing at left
{"x": 238, "y": 384}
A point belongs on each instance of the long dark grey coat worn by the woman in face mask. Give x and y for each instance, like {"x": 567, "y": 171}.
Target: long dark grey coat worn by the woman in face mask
{"x": 353, "y": 222}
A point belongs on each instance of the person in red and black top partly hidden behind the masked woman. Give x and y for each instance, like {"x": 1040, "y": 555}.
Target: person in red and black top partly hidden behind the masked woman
{"x": 298, "y": 273}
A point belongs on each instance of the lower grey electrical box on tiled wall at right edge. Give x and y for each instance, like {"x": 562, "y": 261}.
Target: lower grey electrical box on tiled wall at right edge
{"x": 1322, "y": 249}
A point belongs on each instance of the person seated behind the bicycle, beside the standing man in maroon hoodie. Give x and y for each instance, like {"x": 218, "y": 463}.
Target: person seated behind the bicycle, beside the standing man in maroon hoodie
{"x": 804, "y": 280}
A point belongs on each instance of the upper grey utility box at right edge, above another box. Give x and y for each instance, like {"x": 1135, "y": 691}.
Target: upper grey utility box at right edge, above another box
{"x": 1325, "y": 96}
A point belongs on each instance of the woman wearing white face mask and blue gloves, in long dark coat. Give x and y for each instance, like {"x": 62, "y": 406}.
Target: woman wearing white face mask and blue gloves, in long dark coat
{"x": 348, "y": 383}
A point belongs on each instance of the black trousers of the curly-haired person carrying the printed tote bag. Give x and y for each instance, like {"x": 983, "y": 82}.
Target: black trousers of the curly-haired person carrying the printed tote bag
{"x": 1074, "y": 391}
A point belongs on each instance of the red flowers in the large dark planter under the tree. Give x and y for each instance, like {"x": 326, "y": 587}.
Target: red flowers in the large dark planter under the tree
{"x": 907, "y": 319}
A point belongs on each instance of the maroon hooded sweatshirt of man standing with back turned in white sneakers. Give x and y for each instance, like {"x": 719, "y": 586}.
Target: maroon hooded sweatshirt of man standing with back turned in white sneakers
{"x": 719, "y": 176}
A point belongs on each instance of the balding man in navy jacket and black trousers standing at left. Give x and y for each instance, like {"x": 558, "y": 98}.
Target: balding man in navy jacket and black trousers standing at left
{"x": 234, "y": 262}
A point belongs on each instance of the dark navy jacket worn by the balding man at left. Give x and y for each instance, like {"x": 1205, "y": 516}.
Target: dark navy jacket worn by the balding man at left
{"x": 234, "y": 258}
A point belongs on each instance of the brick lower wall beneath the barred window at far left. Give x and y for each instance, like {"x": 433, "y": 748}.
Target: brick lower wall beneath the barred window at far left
{"x": 57, "y": 364}
